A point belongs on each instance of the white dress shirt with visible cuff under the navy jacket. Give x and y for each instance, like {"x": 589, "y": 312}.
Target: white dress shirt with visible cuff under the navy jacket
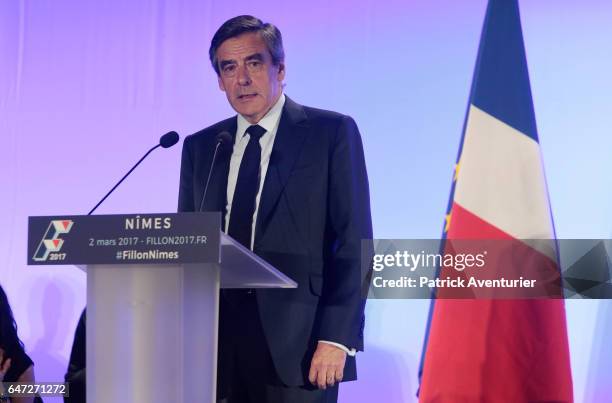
{"x": 269, "y": 122}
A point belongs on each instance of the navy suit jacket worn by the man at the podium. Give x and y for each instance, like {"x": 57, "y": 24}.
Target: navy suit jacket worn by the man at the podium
{"x": 314, "y": 210}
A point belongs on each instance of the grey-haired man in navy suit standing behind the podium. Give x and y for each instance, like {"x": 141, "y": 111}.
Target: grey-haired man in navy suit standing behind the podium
{"x": 293, "y": 187}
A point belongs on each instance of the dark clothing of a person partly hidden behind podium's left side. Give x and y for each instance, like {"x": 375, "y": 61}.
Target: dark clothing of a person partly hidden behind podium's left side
{"x": 75, "y": 375}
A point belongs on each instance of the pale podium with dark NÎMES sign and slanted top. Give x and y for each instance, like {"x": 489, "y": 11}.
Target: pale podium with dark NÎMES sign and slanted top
{"x": 152, "y": 329}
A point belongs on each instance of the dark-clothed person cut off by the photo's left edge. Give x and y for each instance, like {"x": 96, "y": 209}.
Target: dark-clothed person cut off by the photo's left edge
{"x": 15, "y": 365}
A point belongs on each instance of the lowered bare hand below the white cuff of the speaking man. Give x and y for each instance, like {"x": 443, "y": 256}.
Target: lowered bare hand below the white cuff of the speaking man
{"x": 327, "y": 365}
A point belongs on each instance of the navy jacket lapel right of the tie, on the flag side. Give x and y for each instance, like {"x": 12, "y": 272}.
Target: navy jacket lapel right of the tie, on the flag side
{"x": 292, "y": 131}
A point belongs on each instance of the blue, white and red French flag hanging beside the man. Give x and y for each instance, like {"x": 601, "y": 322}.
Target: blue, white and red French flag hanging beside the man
{"x": 498, "y": 350}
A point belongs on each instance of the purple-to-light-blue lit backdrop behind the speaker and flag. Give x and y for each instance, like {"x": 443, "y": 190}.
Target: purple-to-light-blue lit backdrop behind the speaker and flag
{"x": 87, "y": 86}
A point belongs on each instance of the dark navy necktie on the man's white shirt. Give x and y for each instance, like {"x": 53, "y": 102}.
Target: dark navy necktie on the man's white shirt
{"x": 247, "y": 185}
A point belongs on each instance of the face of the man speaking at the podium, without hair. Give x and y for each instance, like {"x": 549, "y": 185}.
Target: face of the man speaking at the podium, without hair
{"x": 251, "y": 82}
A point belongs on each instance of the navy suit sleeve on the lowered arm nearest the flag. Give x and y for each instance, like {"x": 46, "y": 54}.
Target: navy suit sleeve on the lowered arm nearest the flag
{"x": 349, "y": 221}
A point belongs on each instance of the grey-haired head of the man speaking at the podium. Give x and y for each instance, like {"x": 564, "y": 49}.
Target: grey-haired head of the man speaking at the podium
{"x": 249, "y": 60}
